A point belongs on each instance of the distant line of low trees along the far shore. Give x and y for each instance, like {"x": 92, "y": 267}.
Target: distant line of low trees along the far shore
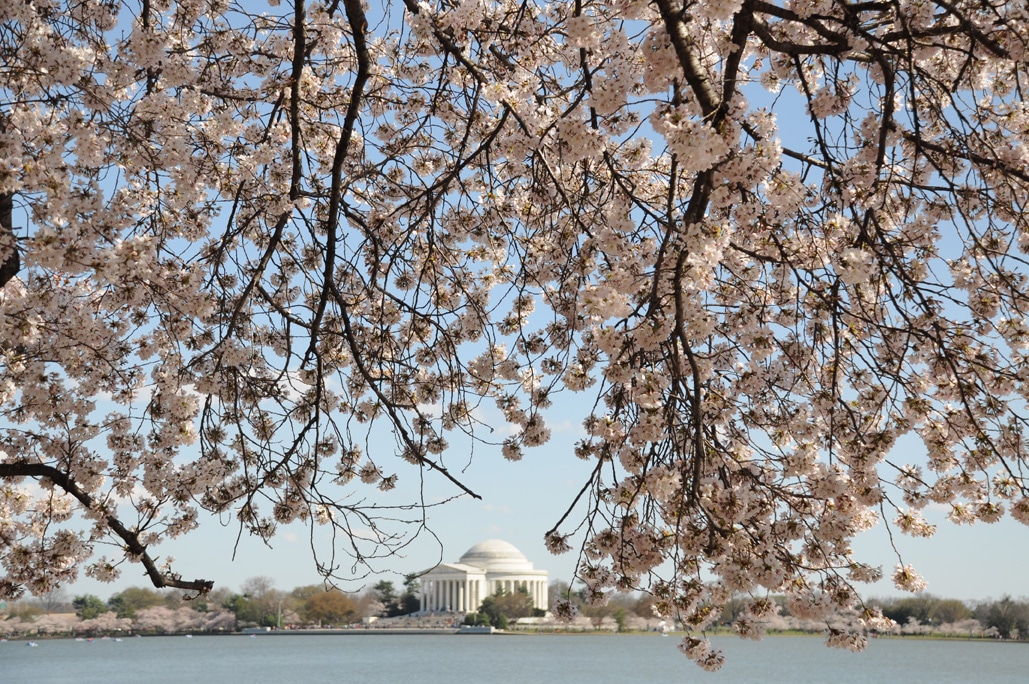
{"x": 258, "y": 603}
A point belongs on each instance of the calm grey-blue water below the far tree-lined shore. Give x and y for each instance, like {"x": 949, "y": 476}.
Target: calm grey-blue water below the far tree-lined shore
{"x": 436, "y": 660}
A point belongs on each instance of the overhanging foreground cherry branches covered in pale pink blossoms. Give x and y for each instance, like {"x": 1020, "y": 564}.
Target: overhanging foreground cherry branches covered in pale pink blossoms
{"x": 767, "y": 239}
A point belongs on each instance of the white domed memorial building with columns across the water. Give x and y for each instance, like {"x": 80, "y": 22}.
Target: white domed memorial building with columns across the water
{"x": 484, "y": 570}
